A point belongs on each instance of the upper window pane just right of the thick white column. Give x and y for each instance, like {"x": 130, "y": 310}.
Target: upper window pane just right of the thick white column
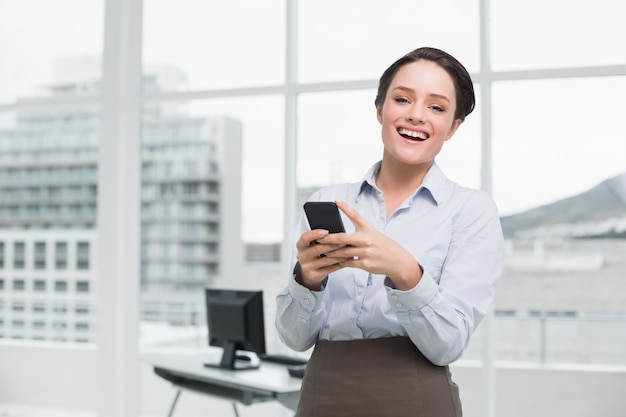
{"x": 216, "y": 45}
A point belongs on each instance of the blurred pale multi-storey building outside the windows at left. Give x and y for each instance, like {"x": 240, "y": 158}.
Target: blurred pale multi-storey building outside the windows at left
{"x": 190, "y": 212}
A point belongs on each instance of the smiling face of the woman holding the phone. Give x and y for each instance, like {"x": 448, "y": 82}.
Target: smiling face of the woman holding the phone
{"x": 417, "y": 116}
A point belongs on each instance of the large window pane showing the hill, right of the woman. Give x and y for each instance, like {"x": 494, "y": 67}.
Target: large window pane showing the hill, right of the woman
{"x": 560, "y": 182}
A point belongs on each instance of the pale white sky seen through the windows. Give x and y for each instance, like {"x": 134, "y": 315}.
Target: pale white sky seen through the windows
{"x": 551, "y": 138}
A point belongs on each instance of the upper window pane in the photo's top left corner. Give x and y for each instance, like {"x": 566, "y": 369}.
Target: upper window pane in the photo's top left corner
{"x": 37, "y": 64}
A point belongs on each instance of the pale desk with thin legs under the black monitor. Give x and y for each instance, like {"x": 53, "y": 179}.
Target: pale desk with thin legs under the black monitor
{"x": 270, "y": 382}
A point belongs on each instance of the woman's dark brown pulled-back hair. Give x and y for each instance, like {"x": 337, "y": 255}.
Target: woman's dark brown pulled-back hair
{"x": 464, "y": 88}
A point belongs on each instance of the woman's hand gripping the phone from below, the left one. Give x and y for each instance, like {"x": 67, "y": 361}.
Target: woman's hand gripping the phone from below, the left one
{"x": 315, "y": 264}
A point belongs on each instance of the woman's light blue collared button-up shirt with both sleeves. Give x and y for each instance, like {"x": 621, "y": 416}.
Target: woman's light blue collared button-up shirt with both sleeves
{"x": 453, "y": 232}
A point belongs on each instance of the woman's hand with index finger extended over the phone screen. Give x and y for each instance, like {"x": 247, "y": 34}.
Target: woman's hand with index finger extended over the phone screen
{"x": 370, "y": 250}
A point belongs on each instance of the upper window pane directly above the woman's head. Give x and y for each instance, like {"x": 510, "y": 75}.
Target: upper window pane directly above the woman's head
{"x": 356, "y": 39}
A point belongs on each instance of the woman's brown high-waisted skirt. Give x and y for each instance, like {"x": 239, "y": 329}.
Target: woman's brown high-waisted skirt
{"x": 386, "y": 377}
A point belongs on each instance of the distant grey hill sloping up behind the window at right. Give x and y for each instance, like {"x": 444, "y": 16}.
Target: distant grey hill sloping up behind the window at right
{"x": 598, "y": 212}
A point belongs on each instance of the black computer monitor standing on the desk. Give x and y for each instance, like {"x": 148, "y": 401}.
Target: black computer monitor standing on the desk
{"x": 235, "y": 322}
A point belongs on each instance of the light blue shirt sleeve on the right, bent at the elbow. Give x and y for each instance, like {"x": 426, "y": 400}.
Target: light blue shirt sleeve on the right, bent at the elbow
{"x": 441, "y": 312}
